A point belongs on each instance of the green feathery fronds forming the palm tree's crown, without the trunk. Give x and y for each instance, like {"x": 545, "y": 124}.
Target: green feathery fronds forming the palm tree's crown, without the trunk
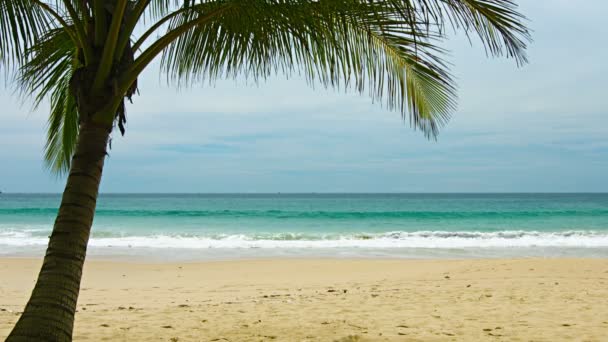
{"x": 390, "y": 50}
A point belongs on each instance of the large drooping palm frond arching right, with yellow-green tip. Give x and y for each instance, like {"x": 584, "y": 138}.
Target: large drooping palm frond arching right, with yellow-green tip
{"x": 338, "y": 43}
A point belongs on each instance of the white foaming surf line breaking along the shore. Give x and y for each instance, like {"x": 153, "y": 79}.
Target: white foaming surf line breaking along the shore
{"x": 419, "y": 239}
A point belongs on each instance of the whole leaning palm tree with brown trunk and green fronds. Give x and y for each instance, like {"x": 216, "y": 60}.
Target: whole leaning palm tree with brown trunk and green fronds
{"x": 85, "y": 56}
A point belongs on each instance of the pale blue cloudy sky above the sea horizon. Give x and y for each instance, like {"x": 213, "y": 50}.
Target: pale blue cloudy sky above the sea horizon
{"x": 539, "y": 128}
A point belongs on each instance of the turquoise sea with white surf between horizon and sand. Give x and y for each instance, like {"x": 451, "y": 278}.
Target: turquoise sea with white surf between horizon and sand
{"x": 228, "y": 226}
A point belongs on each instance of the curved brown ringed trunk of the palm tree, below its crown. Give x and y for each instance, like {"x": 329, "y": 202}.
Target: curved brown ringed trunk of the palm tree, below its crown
{"x": 49, "y": 314}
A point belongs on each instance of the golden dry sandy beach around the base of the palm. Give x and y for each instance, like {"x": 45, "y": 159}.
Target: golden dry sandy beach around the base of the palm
{"x": 328, "y": 300}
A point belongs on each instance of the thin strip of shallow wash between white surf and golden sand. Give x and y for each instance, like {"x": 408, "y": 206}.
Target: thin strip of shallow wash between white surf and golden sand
{"x": 193, "y": 255}
